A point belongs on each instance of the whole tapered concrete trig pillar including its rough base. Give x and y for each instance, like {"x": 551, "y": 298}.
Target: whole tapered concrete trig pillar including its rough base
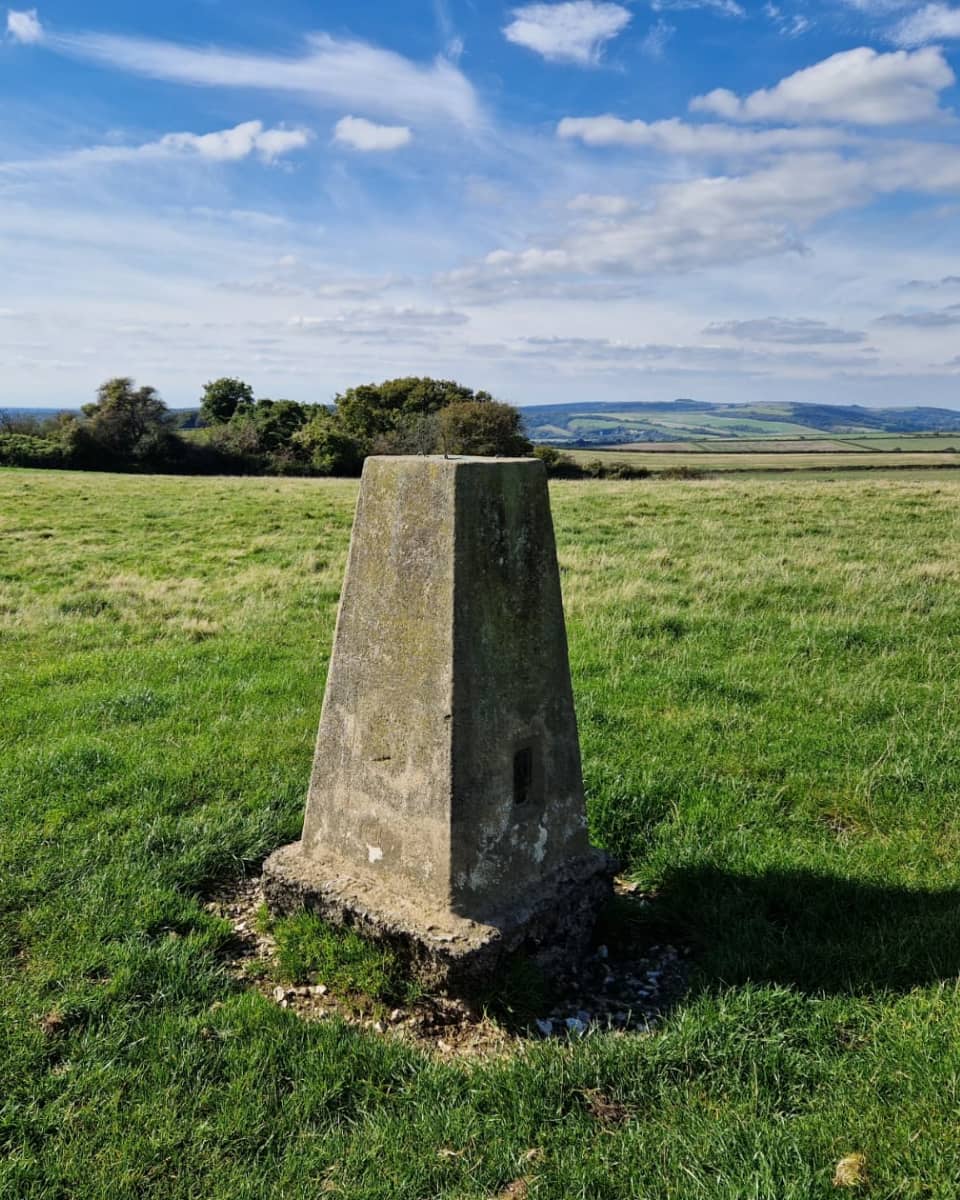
{"x": 446, "y": 813}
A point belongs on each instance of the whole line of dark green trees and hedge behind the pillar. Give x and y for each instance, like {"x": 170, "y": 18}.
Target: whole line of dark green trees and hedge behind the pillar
{"x": 131, "y": 429}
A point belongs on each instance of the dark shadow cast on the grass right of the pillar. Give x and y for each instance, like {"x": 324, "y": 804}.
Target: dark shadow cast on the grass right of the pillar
{"x": 817, "y": 933}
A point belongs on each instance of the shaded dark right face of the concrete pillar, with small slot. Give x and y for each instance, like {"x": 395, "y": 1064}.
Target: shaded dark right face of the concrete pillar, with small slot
{"x": 519, "y": 811}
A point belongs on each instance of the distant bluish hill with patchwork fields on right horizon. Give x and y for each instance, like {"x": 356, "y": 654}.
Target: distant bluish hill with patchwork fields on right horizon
{"x": 689, "y": 421}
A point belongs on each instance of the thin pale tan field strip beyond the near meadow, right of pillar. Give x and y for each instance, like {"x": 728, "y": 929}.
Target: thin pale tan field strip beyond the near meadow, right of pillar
{"x": 773, "y": 460}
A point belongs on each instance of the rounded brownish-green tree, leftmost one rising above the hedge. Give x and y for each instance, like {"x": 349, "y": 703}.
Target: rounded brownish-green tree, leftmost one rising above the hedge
{"x": 129, "y": 424}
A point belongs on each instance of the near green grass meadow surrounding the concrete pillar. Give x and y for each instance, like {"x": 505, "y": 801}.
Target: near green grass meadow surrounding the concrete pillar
{"x": 767, "y": 674}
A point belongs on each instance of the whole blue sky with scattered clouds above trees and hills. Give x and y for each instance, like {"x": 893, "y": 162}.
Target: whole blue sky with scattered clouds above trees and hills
{"x": 574, "y": 201}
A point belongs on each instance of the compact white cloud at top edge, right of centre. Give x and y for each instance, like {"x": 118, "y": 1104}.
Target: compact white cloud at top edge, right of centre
{"x": 575, "y": 32}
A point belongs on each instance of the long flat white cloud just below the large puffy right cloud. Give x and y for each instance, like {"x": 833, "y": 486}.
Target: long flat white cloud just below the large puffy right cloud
{"x": 674, "y": 136}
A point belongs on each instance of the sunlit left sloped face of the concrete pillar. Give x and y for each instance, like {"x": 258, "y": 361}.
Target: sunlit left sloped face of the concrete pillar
{"x": 380, "y": 795}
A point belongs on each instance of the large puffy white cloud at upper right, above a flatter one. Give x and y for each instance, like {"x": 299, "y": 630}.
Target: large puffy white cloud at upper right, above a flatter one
{"x": 861, "y": 87}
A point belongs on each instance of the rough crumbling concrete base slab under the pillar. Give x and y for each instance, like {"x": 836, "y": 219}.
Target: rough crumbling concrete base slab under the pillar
{"x": 551, "y": 923}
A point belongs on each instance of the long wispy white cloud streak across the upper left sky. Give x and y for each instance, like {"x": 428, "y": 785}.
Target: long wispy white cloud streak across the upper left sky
{"x": 332, "y": 73}
